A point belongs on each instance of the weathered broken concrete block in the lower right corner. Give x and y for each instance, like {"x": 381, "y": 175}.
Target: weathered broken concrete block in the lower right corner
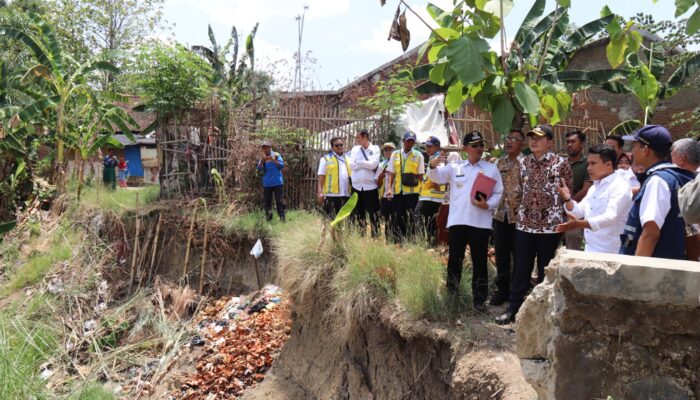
{"x": 610, "y": 325}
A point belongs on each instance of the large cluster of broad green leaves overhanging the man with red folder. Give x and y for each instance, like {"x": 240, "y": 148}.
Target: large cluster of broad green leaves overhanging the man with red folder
{"x": 527, "y": 80}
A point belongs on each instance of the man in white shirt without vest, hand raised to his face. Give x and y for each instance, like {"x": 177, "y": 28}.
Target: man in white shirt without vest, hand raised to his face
{"x": 364, "y": 160}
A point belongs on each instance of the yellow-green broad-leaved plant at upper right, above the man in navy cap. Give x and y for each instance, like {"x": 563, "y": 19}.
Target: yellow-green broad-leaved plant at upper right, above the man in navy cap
{"x": 644, "y": 64}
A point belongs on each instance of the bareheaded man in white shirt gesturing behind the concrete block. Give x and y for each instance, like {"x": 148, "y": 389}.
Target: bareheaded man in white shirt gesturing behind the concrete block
{"x": 602, "y": 213}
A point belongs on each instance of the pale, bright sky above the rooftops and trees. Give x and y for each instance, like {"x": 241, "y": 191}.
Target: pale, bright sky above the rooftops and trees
{"x": 346, "y": 38}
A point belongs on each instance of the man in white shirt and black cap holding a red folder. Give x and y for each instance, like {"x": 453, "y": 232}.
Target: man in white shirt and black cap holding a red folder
{"x": 469, "y": 219}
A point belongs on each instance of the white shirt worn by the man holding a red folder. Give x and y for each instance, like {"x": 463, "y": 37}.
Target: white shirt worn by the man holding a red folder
{"x": 461, "y": 175}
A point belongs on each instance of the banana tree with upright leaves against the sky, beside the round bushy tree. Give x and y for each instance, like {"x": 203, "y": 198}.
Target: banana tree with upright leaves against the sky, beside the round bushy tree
{"x": 233, "y": 78}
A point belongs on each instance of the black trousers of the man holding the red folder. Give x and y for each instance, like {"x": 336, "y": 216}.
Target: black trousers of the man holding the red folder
{"x": 478, "y": 241}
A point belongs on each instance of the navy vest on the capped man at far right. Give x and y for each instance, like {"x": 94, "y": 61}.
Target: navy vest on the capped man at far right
{"x": 671, "y": 242}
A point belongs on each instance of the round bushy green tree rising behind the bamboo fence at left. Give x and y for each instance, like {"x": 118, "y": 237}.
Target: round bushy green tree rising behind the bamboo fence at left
{"x": 170, "y": 79}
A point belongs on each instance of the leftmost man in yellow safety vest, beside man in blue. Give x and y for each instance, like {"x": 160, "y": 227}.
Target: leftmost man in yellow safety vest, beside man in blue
{"x": 333, "y": 187}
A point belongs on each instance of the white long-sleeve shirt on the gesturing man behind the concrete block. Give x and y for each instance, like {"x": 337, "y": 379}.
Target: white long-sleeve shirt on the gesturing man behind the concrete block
{"x": 605, "y": 207}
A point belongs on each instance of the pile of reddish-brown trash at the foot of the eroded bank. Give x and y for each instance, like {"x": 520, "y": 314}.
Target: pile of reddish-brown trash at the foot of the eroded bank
{"x": 241, "y": 337}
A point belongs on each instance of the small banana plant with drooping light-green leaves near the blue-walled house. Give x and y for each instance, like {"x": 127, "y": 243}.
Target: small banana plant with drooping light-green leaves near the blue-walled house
{"x": 91, "y": 129}
